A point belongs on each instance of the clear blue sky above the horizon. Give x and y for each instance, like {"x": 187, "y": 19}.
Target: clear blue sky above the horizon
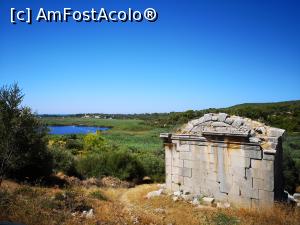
{"x": 198, "y": 54}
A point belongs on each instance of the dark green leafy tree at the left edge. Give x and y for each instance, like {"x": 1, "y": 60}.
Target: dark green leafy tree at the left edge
{"x": 23, "y": 150}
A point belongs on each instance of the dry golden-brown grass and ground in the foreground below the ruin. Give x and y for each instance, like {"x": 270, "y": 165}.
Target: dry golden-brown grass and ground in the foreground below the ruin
{"x": 39, "y": 205}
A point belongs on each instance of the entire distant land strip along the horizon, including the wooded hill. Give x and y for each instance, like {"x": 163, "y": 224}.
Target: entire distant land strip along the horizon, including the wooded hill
{"x": 284, "y": 115}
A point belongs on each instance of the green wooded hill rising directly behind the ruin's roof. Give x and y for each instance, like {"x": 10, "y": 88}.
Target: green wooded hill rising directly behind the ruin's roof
{"x": 284, "y": 115}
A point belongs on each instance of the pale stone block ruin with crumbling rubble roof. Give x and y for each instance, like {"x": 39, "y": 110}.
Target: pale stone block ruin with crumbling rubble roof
{"x": 229, "y": 158}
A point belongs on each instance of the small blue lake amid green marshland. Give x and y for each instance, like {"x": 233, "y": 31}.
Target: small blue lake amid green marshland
{"x": 75, "y": 129}
